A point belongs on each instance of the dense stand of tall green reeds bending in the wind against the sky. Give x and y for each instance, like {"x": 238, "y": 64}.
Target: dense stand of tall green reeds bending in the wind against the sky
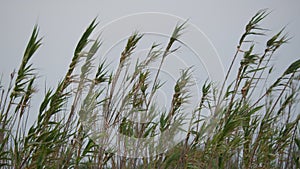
{"x": 252, "y": 124}
